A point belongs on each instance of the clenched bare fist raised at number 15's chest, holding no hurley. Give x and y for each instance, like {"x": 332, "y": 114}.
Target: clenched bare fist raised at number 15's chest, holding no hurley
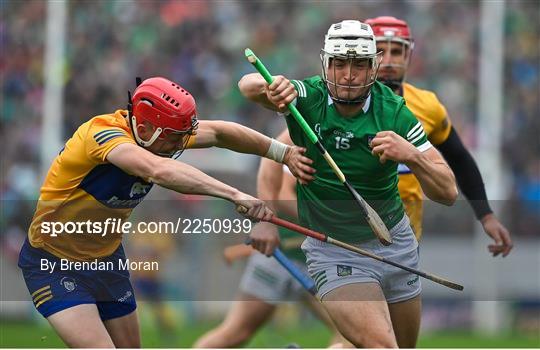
{"x": 390, "y": 146}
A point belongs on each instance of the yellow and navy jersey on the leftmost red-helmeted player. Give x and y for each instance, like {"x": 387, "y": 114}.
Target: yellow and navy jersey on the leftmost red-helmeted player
{"x": 82, "y": 185}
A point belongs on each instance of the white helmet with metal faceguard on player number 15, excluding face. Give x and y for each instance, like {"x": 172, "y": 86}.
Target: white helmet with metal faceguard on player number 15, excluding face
{"x": 350, "y": 40}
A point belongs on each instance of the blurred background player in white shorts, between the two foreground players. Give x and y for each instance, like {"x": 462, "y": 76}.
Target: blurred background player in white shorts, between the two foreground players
{"x": 265, "y": 283}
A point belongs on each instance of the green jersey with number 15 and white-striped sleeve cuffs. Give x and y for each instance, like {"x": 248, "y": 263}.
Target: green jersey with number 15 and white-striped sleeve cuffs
{"x": 325, "y": 204}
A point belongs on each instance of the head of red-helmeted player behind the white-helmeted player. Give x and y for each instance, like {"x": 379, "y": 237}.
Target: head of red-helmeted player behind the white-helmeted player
{"x": 393, "y": 31}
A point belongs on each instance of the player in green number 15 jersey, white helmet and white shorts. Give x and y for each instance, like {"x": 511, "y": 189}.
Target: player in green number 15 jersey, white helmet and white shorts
{"x": 368, "y": 131}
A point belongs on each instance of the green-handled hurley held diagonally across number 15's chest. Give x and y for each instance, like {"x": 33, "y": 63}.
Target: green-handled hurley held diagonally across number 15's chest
{"x": 371, "y": 216}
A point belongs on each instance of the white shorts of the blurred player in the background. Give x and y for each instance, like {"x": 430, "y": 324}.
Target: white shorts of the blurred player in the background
{"x": 267, "y": 280}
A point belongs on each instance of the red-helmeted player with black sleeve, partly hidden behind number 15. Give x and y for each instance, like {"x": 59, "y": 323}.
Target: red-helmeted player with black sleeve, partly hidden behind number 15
{"x": 396, "y": 44}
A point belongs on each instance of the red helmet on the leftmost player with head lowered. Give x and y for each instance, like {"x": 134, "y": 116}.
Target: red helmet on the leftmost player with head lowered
{"x": 165, "y": 105}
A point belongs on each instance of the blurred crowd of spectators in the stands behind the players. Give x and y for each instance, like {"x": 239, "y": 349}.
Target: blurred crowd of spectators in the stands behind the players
{"x": 200, "y": 45}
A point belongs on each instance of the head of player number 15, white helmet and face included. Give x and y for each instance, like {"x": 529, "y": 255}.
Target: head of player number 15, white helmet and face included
{"x": 352, "y": 44}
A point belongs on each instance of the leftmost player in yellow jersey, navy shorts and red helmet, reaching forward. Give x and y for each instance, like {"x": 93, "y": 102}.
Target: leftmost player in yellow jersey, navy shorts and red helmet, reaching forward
{"x": 77, "y": 278}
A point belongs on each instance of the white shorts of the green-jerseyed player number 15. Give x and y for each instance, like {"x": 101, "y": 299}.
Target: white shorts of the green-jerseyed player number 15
{"x": 331, "y": 266}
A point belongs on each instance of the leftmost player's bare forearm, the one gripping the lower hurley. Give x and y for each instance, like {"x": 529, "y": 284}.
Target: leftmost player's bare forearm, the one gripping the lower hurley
{"x": 184, "y": 178}
